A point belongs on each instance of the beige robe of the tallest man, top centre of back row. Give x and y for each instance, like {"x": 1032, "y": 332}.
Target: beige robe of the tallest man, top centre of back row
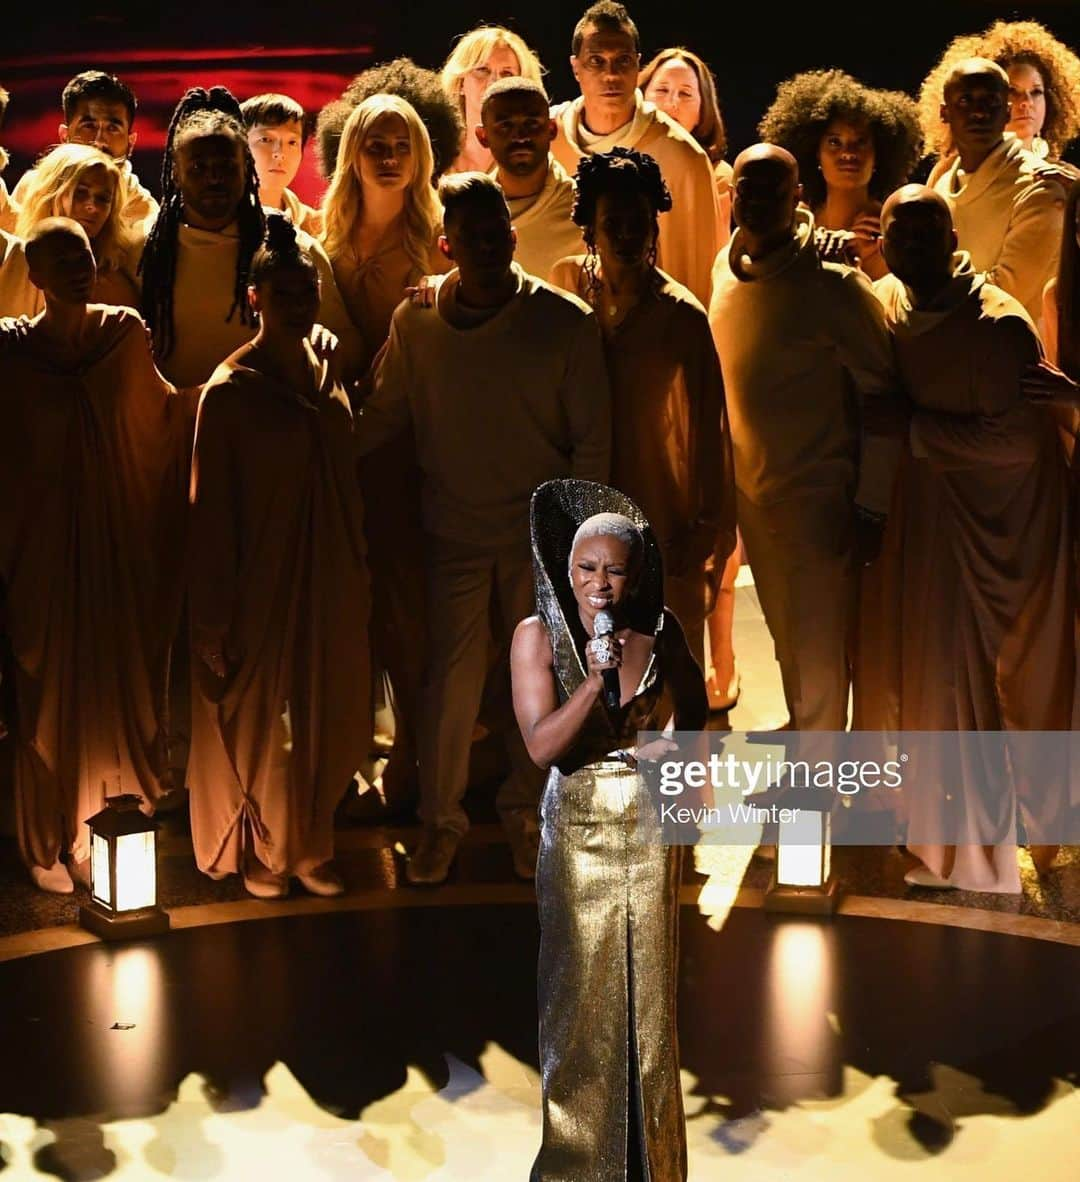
{"x": 691, "y": 233}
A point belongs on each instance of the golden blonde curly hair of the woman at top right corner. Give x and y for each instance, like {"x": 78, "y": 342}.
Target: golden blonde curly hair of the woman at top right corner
{"x": 1007, "y": 43}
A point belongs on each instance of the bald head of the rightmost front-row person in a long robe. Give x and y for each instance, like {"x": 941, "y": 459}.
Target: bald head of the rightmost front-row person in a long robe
{"x": 919, "y": 241}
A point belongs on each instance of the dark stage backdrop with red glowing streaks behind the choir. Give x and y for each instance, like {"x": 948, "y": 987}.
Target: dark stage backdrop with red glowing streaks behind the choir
{"x": 313, "y": 49}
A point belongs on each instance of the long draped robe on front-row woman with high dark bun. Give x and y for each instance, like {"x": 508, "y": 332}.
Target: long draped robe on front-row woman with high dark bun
{"x": 278, "y": 576}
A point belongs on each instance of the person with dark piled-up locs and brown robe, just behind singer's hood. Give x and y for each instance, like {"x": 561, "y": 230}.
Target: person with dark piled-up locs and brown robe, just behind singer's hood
{"x": 671, "y": 447}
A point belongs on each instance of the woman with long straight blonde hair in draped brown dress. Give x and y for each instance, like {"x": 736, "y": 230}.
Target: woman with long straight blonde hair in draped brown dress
{"x": 382, "y": 231}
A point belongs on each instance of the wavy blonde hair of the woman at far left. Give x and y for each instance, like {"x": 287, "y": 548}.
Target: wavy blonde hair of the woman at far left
{"x": 55, "y": 180}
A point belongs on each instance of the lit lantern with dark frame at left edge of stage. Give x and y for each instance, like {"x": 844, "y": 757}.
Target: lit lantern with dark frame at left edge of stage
{"x": 123, "y": 873}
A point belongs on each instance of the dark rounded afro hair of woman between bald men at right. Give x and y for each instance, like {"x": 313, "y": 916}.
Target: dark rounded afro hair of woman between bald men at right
{"x": 806, "y": 105}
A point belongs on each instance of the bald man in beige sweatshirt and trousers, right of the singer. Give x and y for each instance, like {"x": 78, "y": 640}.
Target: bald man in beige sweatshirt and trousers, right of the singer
{"x": 804, "y": 349}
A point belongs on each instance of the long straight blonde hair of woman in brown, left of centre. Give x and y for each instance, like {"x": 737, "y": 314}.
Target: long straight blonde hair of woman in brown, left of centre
{"x": 343, "y": 207}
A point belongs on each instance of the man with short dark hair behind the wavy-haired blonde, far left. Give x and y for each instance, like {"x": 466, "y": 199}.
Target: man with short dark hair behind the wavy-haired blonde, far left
{"x": 100, "y": 111}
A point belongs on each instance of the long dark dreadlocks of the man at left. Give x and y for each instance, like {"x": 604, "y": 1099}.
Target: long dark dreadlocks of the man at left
{"x": 207, "y": 113}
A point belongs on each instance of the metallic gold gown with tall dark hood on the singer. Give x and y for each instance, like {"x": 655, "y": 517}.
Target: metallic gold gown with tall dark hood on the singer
{"x": 609, "y": 910}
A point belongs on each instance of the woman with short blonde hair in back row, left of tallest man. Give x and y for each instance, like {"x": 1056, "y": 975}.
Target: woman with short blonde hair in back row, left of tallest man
{"x": 483, "y": 57}
